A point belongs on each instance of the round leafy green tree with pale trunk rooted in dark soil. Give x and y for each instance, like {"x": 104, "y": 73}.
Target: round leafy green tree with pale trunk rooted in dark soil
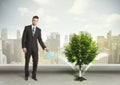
{"x": 81, "y": 50}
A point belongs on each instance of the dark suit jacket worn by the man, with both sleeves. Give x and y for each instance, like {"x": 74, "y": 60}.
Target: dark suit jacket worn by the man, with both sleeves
{"x": 29, "y": 41}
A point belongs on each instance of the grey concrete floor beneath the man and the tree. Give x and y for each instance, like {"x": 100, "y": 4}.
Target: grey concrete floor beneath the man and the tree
{"x": 60, "y": 78}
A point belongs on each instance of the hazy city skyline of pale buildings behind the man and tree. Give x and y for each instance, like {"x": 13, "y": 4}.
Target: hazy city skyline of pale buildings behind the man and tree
{"x": 11, "y": 51}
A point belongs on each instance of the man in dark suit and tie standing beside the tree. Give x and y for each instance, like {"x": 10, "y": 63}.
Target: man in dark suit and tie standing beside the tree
{"x": 30, "y": 36}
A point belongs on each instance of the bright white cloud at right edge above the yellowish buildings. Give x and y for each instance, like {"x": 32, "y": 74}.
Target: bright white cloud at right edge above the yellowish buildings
{"x": 106, "y": 23}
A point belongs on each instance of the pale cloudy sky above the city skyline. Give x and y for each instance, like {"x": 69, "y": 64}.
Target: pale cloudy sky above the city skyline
{"x": 63, "y": 16}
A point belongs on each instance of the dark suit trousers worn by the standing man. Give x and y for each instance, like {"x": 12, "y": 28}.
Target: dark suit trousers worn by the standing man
{"x": 34, "y": 54}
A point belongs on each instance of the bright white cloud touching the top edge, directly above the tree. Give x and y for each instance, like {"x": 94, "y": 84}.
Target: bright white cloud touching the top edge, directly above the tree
{"x": 79, "y": 6}
